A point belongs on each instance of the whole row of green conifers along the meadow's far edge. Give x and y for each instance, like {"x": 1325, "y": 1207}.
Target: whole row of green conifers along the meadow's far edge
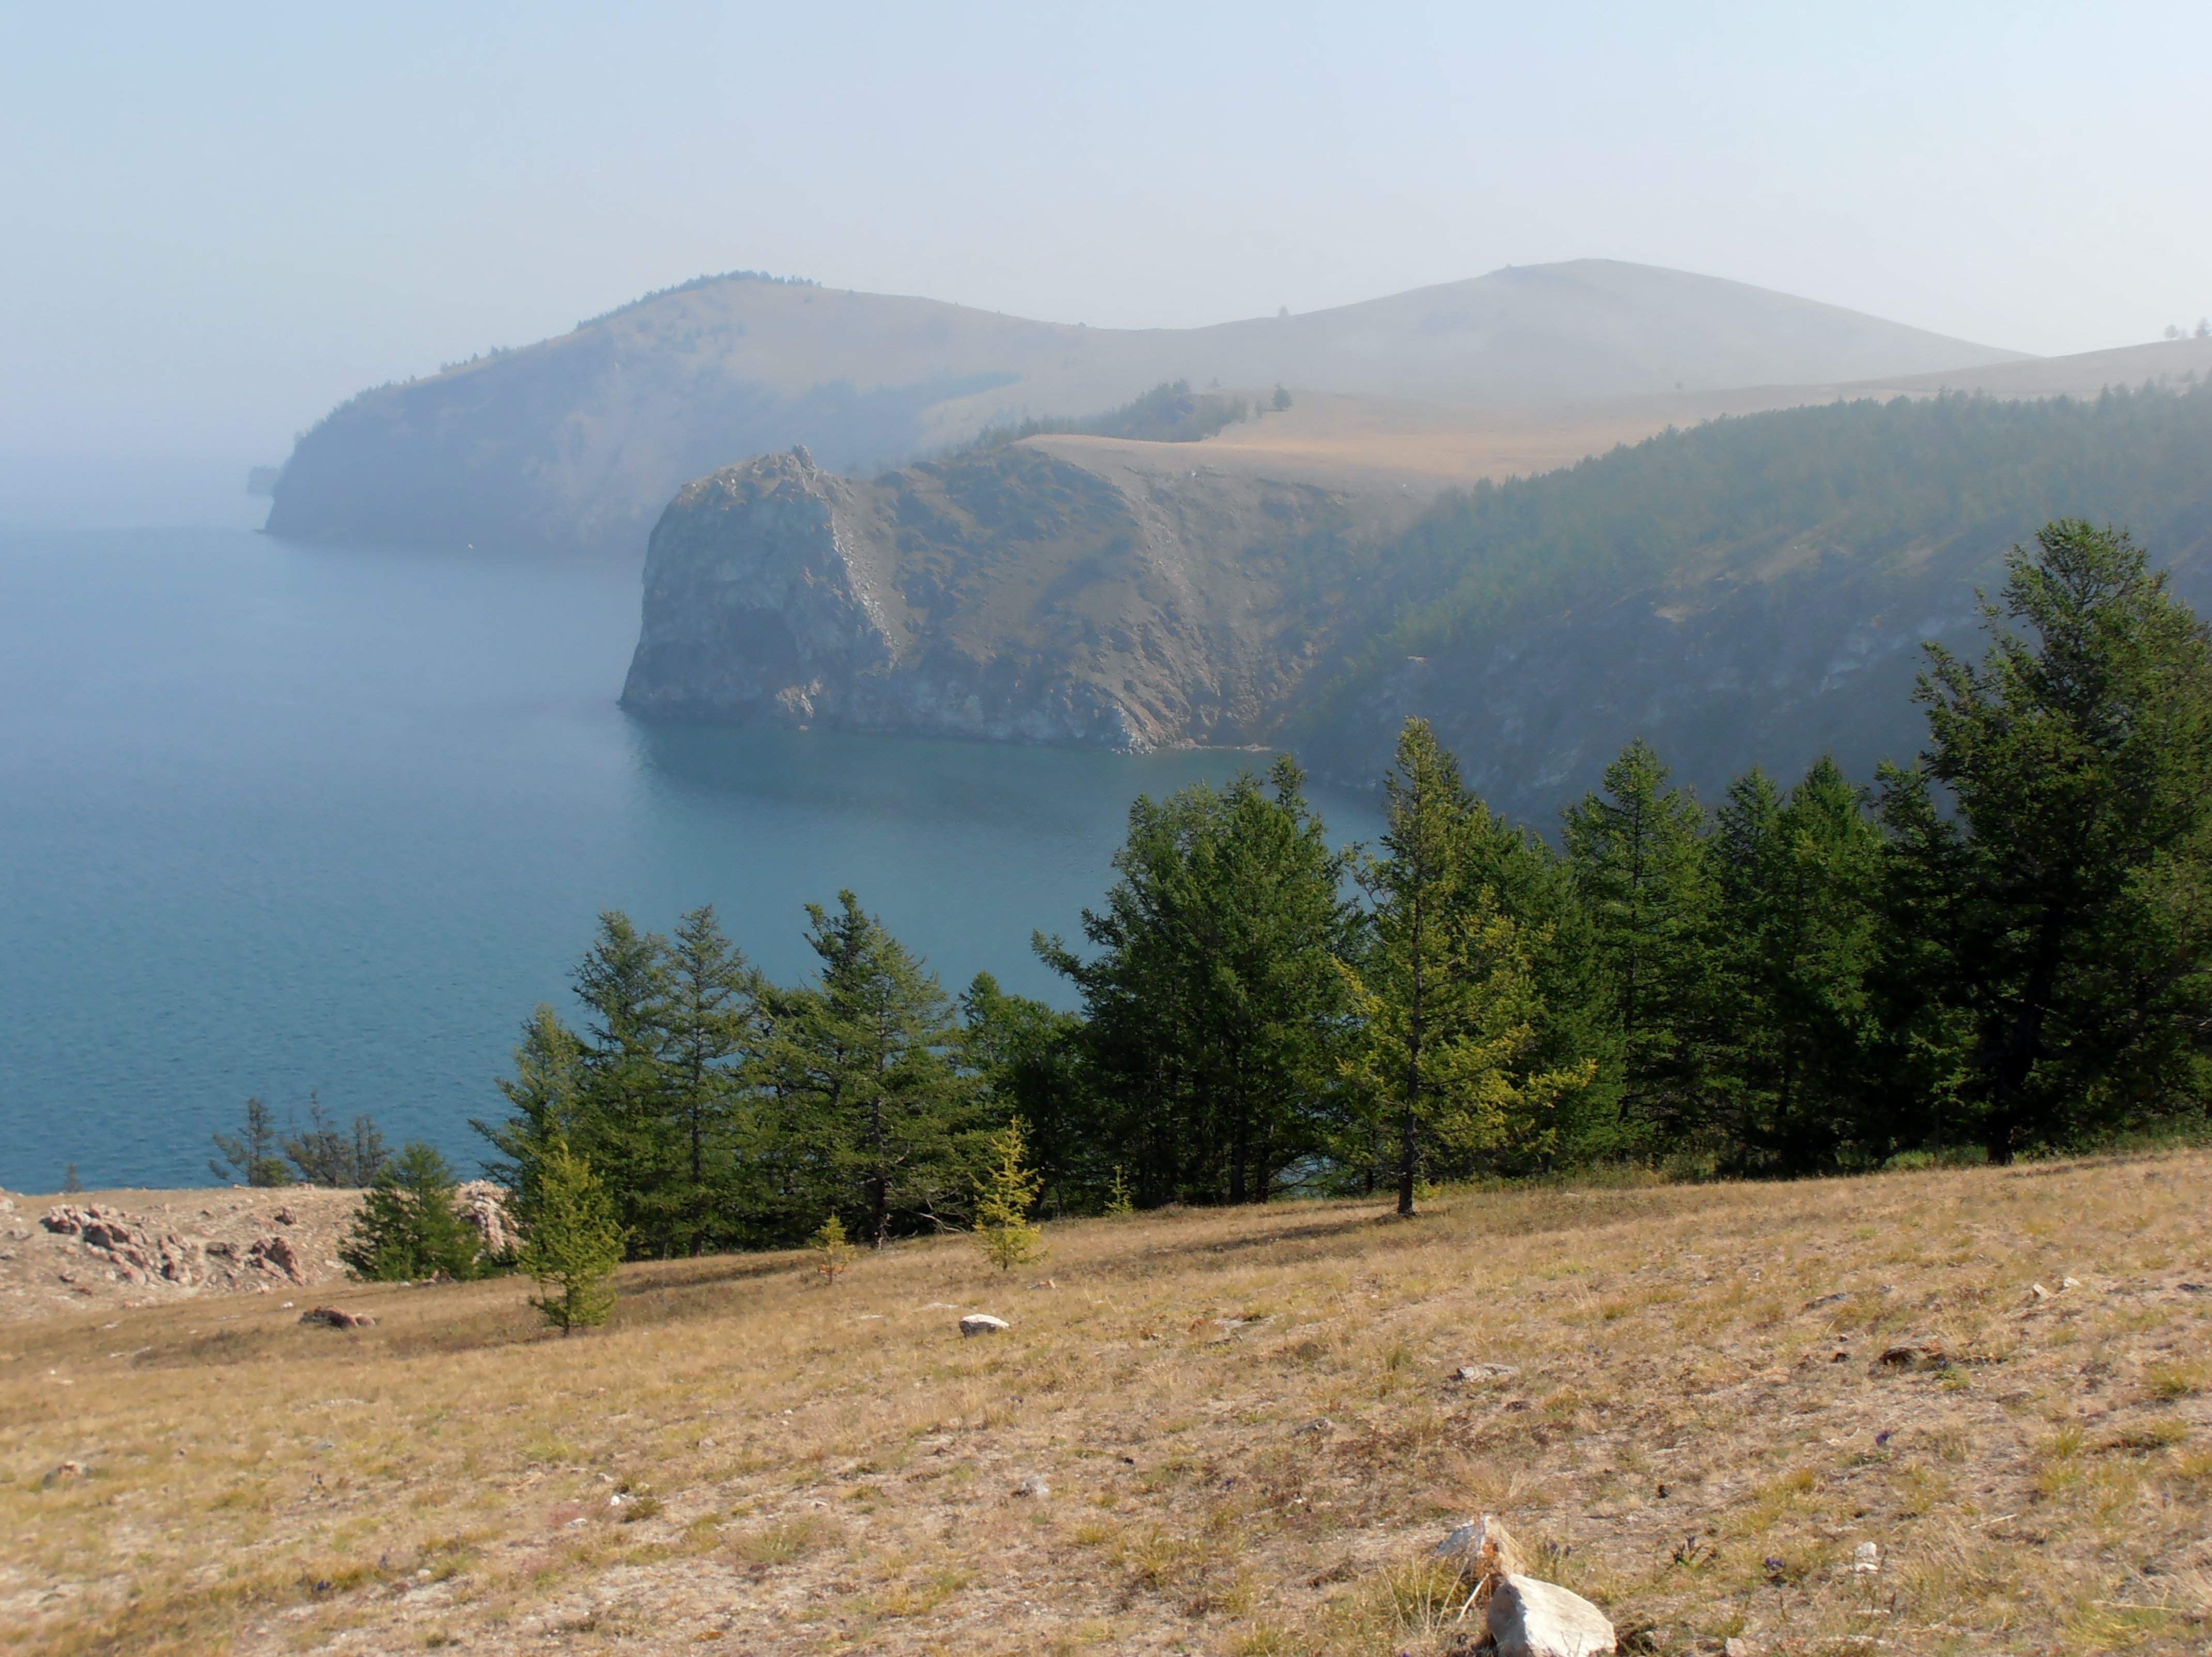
{"x": 2003, "y": 946}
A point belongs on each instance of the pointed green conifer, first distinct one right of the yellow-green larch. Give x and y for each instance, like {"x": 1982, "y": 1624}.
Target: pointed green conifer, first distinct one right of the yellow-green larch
{"x": 1638, "y": 859}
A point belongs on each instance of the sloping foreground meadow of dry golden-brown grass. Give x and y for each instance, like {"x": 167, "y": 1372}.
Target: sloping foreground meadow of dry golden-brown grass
{"x": 1246, "y": 1421}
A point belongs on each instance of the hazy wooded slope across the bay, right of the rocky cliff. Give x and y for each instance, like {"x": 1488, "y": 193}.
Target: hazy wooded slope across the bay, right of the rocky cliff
{"x": 1755, "y": 590}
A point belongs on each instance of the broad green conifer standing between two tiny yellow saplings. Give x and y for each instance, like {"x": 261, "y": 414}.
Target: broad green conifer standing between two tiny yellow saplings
{"x": 868, "y": 1081}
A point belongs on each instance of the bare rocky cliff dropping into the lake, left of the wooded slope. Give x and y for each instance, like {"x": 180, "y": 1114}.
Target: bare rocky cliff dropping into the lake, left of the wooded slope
{"x": 1016, "y": 596}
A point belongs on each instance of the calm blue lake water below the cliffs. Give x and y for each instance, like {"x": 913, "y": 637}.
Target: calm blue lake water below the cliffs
{"x": 282, "y": 820}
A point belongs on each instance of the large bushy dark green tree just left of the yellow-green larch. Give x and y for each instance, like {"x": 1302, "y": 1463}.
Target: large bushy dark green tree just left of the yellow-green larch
{"x": 1215, "y": 1003}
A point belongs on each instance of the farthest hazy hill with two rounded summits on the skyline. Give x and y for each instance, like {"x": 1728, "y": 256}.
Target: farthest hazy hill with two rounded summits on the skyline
{"x": 576, "y": 444}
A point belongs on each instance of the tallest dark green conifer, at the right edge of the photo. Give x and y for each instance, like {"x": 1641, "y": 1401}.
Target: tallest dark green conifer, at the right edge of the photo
{"x": 2069, "y": 897}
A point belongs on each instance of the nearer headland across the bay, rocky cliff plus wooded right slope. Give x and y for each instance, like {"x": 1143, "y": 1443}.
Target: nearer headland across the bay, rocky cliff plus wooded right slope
{"x": 1753, "y": 590}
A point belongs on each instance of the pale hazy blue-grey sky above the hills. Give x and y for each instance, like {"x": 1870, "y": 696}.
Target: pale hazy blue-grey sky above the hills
{"x": 218, "y": 222}
